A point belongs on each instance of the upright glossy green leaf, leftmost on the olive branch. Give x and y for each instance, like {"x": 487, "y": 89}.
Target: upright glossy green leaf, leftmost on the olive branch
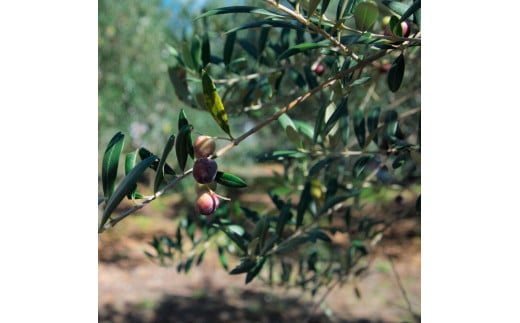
{"x": 110, "y": 163}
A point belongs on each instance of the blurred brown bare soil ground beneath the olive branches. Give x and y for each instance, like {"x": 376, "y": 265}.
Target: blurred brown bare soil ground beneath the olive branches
{"x": 133, "y": 289}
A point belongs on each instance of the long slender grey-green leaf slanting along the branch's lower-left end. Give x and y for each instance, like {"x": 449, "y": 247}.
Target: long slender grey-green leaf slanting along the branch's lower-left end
{"x": 125, "y": 187}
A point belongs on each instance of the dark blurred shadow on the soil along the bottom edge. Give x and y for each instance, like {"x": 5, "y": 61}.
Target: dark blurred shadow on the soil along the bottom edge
{"x": 261, "y": 307}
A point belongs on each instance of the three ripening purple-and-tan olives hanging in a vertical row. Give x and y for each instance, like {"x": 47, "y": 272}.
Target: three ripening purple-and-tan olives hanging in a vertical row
{"x": 204, "y": 171}
